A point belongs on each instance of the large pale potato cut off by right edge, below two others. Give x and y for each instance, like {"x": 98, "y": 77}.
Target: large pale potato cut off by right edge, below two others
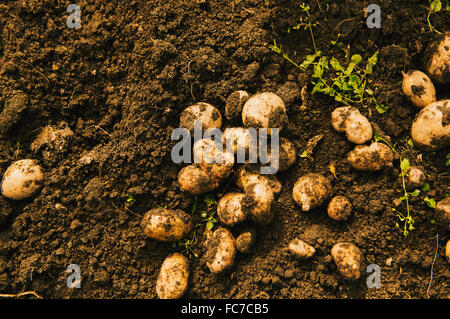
{"x": 430, "y": 130}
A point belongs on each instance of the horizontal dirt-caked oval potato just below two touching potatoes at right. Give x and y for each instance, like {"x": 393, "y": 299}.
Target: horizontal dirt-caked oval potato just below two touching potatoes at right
{"x": 370, "y": 158}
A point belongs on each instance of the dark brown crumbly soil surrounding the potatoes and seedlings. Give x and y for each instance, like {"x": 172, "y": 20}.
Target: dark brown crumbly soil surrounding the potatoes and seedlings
{"x": 120, "y": 83}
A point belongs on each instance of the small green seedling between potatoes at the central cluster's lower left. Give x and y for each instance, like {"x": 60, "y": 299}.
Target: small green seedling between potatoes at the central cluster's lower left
{"x": 203, "y": 218}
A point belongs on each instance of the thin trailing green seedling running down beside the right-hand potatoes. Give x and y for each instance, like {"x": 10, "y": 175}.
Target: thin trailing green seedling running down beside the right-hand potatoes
{"x": 406, "y": 219}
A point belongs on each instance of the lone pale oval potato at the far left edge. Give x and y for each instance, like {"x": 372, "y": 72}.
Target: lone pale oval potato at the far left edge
{"x": 22, "y": 179}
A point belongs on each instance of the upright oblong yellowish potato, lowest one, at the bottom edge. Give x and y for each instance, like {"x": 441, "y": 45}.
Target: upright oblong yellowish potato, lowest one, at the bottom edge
{"x": 173, "y": 277}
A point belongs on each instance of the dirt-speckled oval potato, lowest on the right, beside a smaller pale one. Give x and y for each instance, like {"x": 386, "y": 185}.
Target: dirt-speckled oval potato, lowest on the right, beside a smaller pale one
{"x": 348, "y": 259}
